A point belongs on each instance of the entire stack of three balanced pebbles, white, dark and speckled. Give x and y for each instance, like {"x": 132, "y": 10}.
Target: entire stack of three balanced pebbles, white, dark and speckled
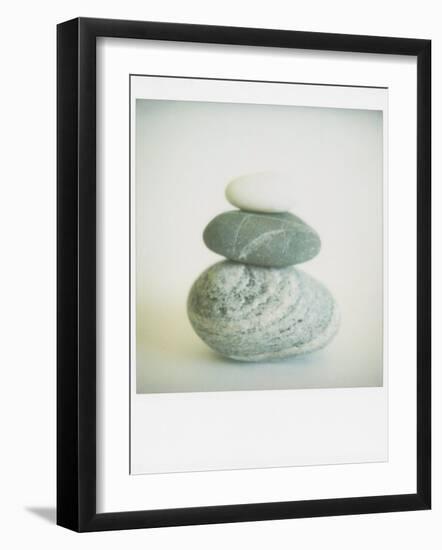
{"x": 256, "y": 305}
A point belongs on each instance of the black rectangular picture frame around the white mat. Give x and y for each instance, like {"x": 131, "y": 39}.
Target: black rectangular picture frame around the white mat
{"x": 77, "y": 287}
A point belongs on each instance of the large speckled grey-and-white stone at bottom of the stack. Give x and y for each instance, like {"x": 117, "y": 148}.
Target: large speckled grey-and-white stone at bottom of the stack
{"x": 253, "y": 313}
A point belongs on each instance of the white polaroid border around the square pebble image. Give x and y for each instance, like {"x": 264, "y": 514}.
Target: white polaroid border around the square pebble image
{"x": 255, "y": 425}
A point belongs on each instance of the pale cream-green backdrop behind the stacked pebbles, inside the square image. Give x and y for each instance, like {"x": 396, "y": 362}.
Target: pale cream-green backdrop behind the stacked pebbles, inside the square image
{"x": 185, "y": 153}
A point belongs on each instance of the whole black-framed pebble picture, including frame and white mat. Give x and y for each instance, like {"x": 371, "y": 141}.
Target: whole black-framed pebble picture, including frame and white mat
{"x": 243, "y": 274}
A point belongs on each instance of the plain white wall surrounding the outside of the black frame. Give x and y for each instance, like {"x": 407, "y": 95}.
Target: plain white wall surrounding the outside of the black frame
{"x": 27, "y": 220}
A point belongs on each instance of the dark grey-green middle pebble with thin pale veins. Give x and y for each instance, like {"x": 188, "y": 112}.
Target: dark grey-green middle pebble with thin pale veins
{"x": 268, "y": 240}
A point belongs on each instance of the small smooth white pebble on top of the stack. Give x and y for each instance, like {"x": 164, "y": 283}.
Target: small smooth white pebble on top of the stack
{"x": 261, "y": 192}
